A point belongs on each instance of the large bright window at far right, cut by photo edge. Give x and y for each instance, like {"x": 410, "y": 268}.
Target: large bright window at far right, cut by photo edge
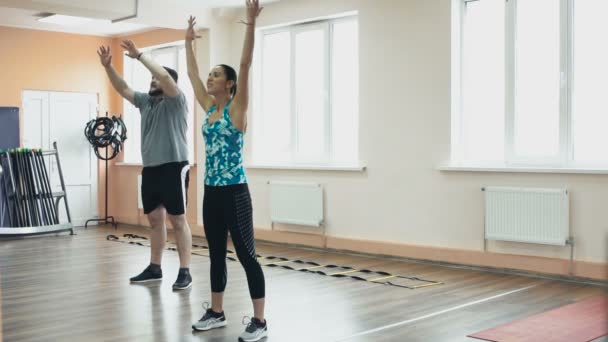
{"x": 532, "y": 83}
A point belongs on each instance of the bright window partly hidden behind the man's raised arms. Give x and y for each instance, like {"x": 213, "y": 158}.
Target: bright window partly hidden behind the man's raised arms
{"x": 138, "y": 77}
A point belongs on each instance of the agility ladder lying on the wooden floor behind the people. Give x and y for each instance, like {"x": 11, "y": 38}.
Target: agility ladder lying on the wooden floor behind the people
{"x": 378, "y": 277}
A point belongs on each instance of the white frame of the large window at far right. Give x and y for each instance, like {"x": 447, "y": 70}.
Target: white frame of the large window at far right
{"x": 565, "y": 156}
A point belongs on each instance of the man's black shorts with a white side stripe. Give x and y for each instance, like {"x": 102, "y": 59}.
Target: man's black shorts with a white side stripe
{"x": 165, "y": 185}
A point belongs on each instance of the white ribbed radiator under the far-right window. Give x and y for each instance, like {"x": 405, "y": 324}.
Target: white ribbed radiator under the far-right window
{"x": 531, "y": 215}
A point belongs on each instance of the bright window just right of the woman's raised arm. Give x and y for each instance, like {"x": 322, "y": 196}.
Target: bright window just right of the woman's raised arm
{"x": 306, "y": 94}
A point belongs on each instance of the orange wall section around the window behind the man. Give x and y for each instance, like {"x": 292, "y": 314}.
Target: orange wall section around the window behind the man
{"x": 123, "y": 181}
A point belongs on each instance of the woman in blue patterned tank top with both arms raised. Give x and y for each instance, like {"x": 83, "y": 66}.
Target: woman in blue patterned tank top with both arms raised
{"x": 227, "y": 202}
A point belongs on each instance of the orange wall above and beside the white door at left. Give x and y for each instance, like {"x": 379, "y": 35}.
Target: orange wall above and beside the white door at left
{"x": 41, "y": 60}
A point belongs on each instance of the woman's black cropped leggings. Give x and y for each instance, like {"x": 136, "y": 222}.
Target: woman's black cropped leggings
{"x": 229, "y": 208}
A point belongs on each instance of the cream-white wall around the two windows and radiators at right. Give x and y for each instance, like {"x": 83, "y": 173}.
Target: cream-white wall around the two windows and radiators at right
{"x": 405, "y": 135}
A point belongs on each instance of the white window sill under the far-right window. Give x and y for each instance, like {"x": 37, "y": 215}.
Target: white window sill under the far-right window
{"x": 521, "y": 169}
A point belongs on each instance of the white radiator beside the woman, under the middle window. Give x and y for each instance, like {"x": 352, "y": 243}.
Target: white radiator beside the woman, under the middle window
{"x": 296, "y": 203}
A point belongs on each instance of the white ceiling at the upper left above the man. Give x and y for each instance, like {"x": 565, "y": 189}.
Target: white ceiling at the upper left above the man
{"x": 151, "y": 14}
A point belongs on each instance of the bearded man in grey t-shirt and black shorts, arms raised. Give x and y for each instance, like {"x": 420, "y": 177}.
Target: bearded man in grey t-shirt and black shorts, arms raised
{"x": 164, "y": 151}
